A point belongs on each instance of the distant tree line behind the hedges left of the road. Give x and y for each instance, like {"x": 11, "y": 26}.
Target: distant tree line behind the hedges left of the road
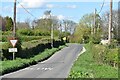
{"x": 61, "y": 27}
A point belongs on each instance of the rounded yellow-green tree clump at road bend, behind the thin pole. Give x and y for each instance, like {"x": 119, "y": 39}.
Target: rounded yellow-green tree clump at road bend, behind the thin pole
{"x": 84, "y": 30}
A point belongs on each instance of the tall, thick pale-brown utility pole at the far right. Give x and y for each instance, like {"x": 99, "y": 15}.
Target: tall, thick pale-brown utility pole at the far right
{"x": 110, "y": 23}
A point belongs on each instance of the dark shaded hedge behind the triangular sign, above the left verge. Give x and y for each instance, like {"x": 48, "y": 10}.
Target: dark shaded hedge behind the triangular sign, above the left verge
{"x": 29, "y": 49}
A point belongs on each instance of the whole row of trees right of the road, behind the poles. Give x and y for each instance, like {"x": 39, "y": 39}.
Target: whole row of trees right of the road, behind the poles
{"x": 86, "y": 30}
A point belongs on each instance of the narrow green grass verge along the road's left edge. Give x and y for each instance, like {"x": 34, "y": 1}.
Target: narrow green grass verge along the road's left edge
{"x": 10, "y": 66}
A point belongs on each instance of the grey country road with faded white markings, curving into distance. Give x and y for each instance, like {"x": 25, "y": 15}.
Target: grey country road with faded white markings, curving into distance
{"x": 57, "y": 66}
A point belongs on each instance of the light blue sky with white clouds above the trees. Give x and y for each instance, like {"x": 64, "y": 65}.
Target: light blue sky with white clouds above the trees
{"x": 72, "y": 10}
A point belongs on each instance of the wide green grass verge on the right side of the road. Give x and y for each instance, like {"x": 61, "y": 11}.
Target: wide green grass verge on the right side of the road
{"x": 86, "y": 67}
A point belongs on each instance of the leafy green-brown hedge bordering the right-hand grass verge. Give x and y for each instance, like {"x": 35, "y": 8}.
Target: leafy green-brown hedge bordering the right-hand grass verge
{"x": 104, "y": 55}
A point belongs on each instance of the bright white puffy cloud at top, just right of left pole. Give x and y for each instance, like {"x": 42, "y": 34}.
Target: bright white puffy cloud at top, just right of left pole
{"x": 31, "y": 4}
